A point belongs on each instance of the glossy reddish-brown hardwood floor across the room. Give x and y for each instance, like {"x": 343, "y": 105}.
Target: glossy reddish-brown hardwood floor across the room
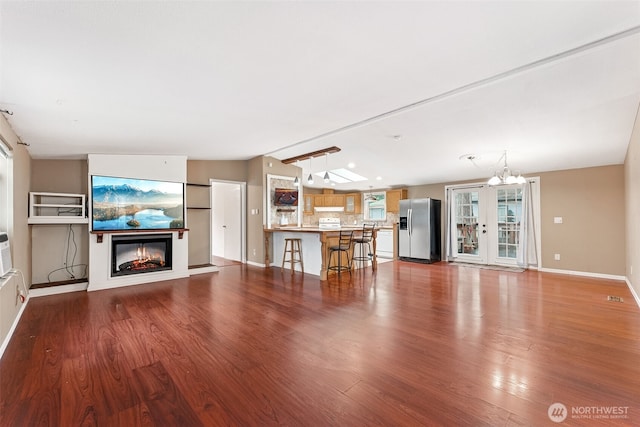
{"x": 411, "y": 344}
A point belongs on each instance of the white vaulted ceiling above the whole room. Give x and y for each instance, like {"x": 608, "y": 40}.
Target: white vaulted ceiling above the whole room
{"x": 412, "y": 92}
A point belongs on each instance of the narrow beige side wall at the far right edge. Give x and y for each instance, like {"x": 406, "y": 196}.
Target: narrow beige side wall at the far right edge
{"x": 632, "y": 197}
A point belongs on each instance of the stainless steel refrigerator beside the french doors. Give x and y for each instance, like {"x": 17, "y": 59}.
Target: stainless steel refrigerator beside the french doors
{"x": 419, "y": 235}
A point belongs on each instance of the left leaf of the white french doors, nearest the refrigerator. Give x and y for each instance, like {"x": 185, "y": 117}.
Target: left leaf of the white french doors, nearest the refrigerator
{"x": 470, "y": 228}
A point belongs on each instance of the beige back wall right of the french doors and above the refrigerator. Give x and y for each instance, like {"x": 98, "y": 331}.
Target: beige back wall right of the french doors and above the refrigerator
{"x": 591, "y": 202}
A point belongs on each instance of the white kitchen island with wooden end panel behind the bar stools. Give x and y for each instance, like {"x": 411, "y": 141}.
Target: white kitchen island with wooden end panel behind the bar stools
{"x": 315, "y": 246}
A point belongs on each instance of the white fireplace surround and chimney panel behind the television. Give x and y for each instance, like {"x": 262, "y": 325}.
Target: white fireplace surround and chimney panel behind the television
{"x": 163, "y": 168}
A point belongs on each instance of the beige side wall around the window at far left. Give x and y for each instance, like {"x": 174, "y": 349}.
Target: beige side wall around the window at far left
{"x": 19, "y": 232}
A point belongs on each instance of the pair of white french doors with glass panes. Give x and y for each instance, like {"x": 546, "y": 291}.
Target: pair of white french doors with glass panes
{"x": 485, "y": 224}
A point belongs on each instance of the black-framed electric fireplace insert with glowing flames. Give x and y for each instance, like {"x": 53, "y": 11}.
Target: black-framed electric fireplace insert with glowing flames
{"x": 140, "y": 253}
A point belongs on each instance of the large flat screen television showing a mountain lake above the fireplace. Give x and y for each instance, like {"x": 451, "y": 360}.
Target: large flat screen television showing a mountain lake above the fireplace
{"x": 135, "y": 204}
